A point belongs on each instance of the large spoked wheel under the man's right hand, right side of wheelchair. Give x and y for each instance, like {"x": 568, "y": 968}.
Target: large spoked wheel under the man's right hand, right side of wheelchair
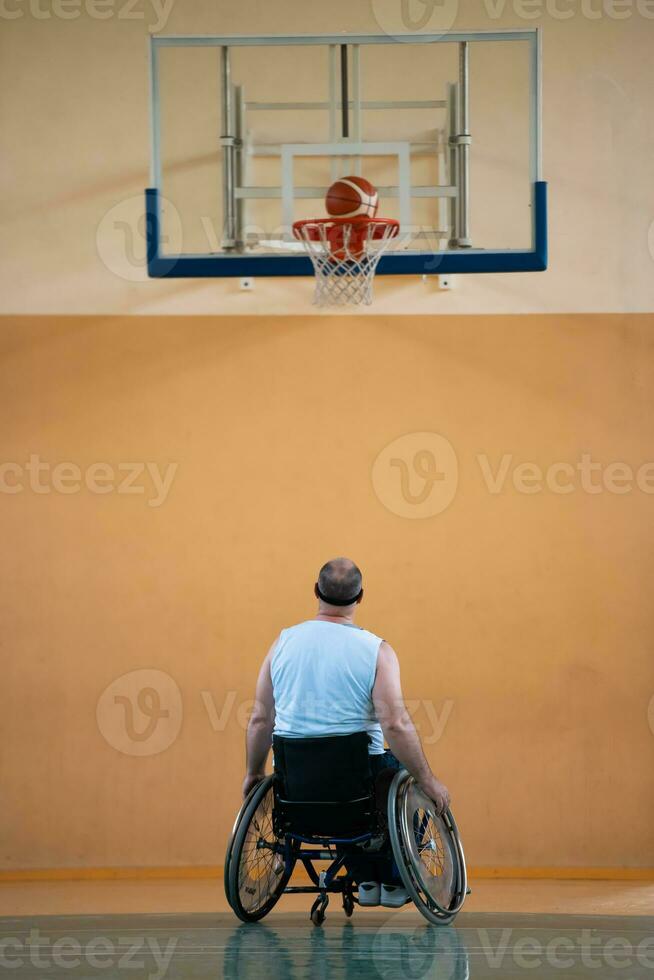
{"x": 427, "y": 851}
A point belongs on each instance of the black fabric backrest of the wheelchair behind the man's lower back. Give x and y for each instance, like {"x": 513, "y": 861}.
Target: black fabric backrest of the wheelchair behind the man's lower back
{"x": 324, "y": 786}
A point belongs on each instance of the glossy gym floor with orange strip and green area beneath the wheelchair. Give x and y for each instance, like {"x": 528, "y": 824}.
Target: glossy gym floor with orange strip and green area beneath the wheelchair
{"x": 617, "y": 940}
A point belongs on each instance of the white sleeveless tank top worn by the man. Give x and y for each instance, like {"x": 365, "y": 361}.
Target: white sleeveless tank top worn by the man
{"x": 322, "y": 676}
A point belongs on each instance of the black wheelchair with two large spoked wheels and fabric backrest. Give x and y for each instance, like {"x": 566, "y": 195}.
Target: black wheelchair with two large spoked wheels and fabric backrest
{"x": 320, "y": 805}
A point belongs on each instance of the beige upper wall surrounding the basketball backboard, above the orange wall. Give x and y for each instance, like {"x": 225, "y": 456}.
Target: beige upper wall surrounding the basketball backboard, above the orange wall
{"x": 75, "y": 146}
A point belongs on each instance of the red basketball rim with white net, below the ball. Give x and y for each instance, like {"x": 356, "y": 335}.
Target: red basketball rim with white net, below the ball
{"x": 345, "y": 253}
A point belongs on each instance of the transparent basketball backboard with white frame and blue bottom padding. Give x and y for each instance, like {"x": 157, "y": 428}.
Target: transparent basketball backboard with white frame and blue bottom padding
{"x": 248, "y": 132}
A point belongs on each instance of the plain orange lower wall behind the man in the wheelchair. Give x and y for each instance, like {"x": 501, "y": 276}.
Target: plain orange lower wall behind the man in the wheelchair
{"x": 523, "y": 620}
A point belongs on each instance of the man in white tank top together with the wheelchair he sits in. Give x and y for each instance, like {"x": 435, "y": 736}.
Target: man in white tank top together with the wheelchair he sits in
{"x": 327, "y": 696}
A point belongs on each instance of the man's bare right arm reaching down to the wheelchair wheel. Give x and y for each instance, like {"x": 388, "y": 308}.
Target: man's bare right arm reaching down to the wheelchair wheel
{"x": 399, "y": 731}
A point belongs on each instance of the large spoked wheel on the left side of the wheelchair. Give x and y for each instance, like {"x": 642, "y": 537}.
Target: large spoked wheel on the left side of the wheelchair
{"x": 255, "y": 874}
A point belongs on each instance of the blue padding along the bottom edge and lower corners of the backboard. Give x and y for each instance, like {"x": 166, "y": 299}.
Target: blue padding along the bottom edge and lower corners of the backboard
{"x": 457, "y": 262}
